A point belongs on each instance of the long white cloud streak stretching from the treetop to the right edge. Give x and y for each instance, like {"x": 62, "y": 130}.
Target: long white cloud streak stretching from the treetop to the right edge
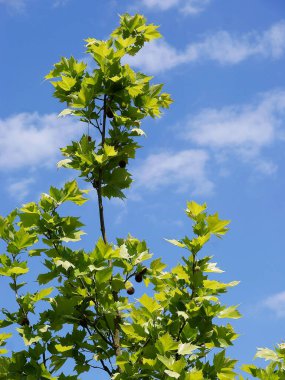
{"x": 222, "y": 47}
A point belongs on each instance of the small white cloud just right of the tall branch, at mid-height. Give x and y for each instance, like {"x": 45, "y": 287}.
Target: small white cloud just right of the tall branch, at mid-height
{"x": 184, "y": 171}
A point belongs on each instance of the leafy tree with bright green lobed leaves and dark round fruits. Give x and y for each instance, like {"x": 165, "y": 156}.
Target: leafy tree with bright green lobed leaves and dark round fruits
{"x": 87, "y": 317}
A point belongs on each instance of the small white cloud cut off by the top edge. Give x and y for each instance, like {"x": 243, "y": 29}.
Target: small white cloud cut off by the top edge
{"x": 185, "y": 6}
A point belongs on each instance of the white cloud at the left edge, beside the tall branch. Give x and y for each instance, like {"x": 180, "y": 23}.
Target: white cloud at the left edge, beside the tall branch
{"x": 33, "y": 140}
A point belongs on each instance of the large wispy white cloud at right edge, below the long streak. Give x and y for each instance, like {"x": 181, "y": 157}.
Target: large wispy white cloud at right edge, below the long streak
{"x": 244, "y": 130}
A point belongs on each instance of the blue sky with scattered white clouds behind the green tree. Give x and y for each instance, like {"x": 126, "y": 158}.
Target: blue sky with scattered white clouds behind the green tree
{"x": 221, "y": 142}
